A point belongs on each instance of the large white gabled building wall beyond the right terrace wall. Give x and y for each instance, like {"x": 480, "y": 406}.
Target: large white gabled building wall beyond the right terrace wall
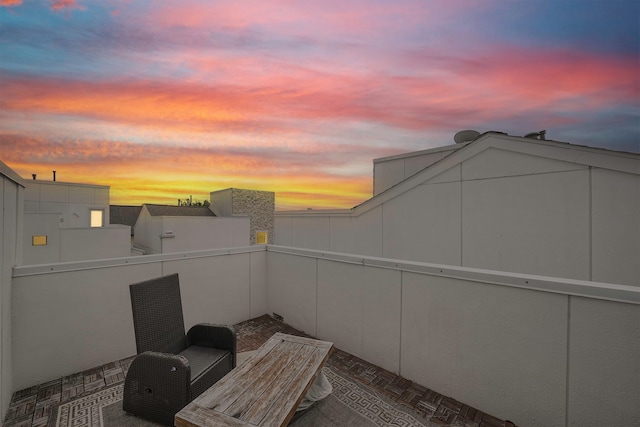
{"x": 510, "y": 206}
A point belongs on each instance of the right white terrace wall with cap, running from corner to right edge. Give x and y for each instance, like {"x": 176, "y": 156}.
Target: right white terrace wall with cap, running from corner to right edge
{"x": 488, "y": 339}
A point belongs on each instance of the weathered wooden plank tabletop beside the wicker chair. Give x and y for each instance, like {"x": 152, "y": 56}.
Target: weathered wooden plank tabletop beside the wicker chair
{"x": 265, "y": 390}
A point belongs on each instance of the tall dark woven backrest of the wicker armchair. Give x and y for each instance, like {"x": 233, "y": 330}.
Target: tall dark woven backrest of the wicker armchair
{"x": 157, "y": 315}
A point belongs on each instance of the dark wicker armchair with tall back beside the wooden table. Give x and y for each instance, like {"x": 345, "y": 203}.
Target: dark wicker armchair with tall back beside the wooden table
{"x": 171, "y": 368}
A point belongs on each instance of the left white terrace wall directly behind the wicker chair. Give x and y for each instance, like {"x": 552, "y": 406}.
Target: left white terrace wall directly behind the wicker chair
{"x": 75, "y": 316}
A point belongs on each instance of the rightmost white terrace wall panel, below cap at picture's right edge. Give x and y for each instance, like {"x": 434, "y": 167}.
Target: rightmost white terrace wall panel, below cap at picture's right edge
{"x": 604, "y": 356}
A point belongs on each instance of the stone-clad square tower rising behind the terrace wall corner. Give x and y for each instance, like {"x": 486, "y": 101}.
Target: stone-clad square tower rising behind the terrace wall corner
{"x": 259, "y": 206}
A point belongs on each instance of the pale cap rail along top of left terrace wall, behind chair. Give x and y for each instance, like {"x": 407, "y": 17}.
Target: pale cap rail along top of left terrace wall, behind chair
{"x": 31, "y": 270}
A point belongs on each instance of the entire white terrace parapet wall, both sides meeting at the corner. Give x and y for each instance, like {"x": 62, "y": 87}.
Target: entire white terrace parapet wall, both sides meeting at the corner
{"x": 535, "y": 350}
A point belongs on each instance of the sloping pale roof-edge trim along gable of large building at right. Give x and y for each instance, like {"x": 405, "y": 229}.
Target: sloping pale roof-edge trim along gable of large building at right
{"x": 587, "y": 156}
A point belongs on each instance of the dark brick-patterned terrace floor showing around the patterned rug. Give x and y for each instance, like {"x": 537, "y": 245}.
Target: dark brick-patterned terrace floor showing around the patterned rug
{"x": 37, "y": 405}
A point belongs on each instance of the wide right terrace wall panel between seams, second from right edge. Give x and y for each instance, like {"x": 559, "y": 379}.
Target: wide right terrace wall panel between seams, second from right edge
{"x": 495, "y": 348}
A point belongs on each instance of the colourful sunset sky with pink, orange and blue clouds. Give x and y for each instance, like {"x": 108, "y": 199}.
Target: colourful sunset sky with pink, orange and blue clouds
{"x": 161, "y": 100}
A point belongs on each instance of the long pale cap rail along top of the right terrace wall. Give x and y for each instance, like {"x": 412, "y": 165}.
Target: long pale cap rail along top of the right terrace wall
{"x": 582, "y": 288}
